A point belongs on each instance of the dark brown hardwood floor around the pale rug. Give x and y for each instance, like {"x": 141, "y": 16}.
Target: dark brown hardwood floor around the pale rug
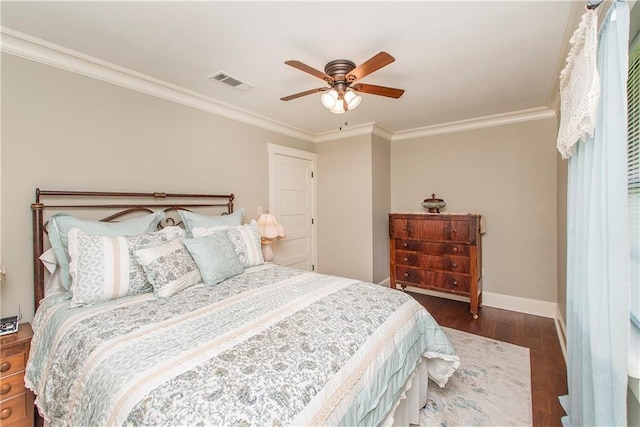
{"x": 548, "y": 369}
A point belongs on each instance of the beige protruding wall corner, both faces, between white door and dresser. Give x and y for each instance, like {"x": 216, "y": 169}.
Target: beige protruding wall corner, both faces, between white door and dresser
{"x": 353, "y": 205}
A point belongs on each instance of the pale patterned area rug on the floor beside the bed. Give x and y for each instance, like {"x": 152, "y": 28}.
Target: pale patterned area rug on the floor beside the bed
{"x": 492, "y": 386}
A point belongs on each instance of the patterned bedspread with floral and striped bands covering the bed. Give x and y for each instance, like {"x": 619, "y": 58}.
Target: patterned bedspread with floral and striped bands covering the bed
{"x": 273, "y": 346}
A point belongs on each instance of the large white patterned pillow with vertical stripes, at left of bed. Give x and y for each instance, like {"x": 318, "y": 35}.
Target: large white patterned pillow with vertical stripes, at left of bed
{"x": 103, "y": 267}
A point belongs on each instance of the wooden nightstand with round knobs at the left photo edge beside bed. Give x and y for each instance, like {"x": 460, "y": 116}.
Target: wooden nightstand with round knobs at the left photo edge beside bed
{"x": 16, "y": 401}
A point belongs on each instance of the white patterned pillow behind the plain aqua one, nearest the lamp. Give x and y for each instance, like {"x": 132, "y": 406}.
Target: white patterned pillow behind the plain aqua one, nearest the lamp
{"x": 245, "y": 239}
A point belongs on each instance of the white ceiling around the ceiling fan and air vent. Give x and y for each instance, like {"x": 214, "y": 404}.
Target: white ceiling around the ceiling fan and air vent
{"x": 456, "y": 60}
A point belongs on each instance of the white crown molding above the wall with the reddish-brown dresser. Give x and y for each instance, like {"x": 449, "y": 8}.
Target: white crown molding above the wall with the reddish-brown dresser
{"x": 520, "y": 116}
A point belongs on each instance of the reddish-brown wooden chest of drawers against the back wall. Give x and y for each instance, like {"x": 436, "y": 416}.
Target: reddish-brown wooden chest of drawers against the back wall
{"x": 438, "y": 252}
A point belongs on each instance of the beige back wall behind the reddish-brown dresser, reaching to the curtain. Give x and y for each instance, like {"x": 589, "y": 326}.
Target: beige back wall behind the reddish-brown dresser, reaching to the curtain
{"x": 506, "y": 173}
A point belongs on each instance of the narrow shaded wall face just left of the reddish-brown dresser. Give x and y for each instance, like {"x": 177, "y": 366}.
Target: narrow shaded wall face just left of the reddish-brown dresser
{"x": 381, "y": 191}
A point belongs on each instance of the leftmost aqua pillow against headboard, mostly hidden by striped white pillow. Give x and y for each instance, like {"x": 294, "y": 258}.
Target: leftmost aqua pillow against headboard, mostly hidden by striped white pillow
{"x": 59, "y": 225}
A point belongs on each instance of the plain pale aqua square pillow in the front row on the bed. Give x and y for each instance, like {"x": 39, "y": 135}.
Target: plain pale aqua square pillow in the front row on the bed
{"x": 216, "y": 257}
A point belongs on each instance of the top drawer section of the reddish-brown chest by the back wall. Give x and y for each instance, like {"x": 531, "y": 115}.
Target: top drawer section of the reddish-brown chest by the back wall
{"x": 444, "y": 230}
